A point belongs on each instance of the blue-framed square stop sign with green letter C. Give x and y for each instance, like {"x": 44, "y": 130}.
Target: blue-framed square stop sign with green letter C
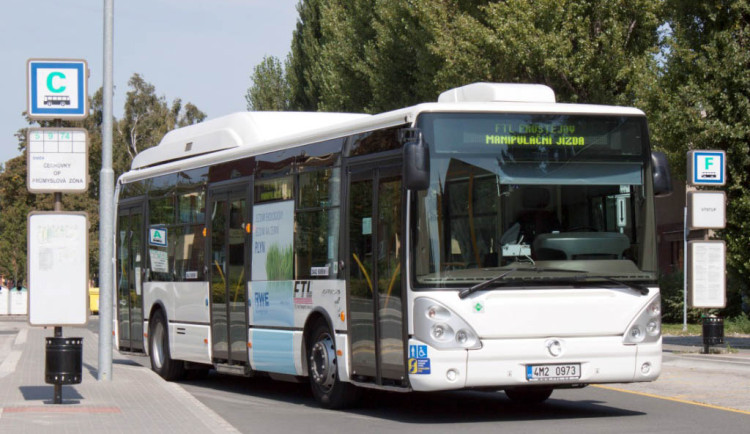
{"x": 57, "y": 89}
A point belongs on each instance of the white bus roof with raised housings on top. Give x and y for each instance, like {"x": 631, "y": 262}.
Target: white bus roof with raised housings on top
{"x": 251, "y": 133}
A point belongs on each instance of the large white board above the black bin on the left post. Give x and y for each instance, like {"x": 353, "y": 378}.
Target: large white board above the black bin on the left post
{"x": 58, "y": 268}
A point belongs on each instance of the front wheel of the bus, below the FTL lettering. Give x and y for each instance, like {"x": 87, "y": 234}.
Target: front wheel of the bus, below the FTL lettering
{"x": 322, "y": 367}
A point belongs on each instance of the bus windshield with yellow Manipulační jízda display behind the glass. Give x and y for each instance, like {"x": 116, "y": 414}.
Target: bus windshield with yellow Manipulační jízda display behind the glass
{"x": 533, "y": 191}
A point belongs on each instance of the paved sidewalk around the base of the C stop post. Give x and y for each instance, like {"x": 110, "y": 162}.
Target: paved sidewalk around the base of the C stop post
{"x": 136, "y": 400}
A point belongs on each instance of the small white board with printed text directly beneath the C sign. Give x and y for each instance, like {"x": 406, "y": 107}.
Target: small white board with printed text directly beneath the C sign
{"x": 57, "y": 160}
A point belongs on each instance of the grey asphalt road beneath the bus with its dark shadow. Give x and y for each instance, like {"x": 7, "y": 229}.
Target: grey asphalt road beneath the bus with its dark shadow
{"x": 261, "y": 405}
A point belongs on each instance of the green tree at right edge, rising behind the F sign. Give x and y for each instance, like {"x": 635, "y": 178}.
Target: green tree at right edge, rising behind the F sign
{"x": 702, "y": 101}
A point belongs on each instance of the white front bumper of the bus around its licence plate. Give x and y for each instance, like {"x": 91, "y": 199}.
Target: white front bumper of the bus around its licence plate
{"x": 503, "y": 363}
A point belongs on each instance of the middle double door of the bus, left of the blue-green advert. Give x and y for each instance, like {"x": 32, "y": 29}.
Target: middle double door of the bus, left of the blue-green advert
{"x": 227, "y": 274}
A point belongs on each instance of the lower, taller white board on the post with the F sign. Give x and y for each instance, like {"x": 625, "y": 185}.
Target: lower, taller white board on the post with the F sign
{"x": 707, "y": 274}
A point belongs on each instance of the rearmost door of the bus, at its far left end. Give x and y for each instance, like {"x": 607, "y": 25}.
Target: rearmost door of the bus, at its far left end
{"x": 129, "y": 277}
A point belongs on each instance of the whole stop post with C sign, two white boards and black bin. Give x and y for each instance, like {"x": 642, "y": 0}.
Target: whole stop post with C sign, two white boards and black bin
{"x": 57, "y": 162}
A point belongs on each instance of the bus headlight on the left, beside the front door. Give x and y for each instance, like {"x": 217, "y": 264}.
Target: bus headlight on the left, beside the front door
{"x": 441, "y": 328}
